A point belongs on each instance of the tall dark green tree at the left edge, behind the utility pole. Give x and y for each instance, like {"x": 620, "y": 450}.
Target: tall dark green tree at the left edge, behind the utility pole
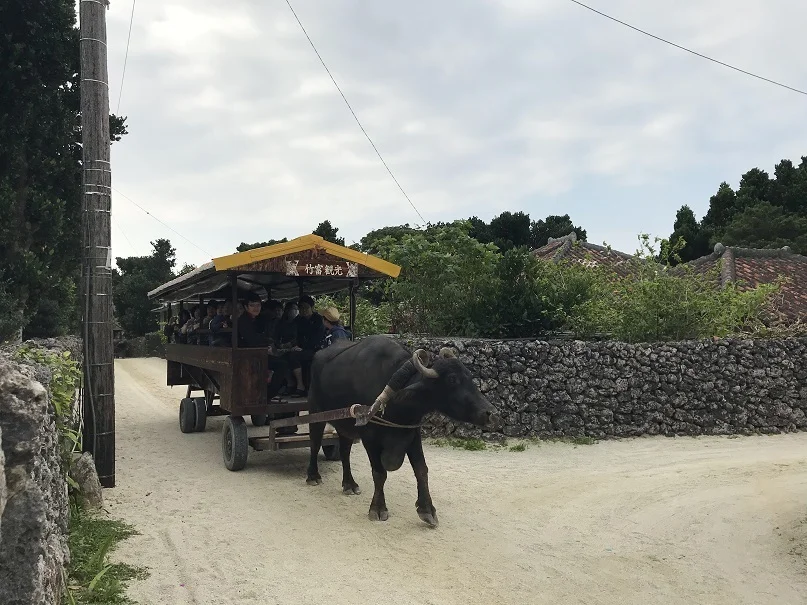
{"x": 40, "y": 164}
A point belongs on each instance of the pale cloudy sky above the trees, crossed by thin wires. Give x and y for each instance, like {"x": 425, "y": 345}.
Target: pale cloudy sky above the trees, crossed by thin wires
{"x": 237, "y": 133}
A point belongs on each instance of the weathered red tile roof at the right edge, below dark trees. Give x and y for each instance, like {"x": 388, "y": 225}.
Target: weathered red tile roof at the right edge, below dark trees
{"x": 750, "y": 267}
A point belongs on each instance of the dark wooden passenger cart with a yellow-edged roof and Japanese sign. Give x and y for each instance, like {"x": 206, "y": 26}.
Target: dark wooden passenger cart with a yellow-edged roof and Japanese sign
{"x": 231, "y": 381}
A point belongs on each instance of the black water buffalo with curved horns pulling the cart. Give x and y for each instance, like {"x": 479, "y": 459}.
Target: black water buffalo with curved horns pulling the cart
{"x": 378, "y": 369}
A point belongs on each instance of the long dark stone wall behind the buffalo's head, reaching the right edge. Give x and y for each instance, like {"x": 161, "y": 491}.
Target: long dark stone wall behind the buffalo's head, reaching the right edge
{"x": 611, "y": 389}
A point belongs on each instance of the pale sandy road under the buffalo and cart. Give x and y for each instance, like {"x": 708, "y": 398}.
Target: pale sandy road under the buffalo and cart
{"x": 707, "y": 521}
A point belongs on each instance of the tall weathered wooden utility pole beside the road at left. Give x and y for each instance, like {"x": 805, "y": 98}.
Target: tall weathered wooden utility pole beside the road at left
{"x": 96, "y": 264}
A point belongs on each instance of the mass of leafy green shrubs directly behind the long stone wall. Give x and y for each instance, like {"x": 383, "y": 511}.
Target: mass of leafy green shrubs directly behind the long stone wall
{"x": 451, "y": 285}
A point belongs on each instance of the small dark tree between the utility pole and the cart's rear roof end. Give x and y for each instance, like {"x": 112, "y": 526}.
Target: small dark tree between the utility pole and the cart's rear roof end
{"x": 135, "y": 277}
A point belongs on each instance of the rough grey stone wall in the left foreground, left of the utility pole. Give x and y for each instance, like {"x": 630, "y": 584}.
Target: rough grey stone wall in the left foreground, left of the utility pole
{"x": 34, "y": 509}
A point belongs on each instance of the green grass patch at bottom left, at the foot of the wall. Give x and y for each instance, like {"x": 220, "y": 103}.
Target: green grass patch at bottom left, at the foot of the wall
{"x": 91, "y": 578}
